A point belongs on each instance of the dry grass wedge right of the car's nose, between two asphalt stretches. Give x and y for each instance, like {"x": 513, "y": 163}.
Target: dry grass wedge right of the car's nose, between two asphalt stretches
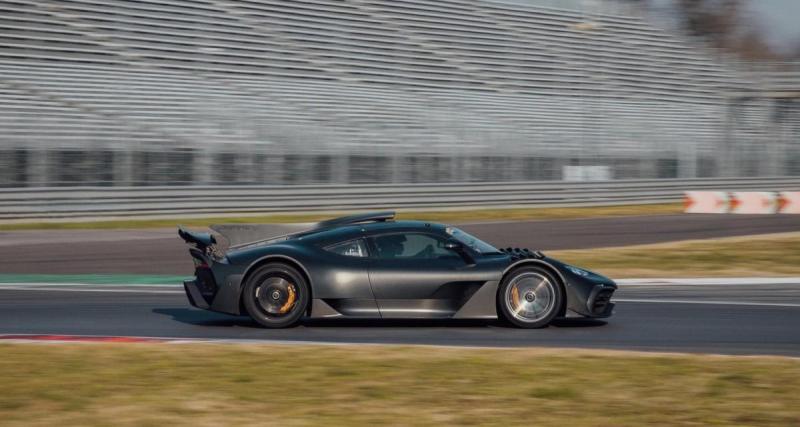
{"x": 749, "y": 256}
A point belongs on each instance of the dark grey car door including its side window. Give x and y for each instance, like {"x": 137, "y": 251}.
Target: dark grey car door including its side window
{"x": 414, "y": 275}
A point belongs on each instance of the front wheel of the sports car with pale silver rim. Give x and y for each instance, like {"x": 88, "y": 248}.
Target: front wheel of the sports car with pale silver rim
{"x": 529, "y": 297}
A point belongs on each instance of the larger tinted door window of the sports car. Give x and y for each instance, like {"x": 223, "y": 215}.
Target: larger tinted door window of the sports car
{"x": 410, "y": 246}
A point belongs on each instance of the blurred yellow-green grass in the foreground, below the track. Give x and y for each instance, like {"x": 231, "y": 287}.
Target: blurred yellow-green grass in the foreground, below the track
{"x": 297, "y": 385}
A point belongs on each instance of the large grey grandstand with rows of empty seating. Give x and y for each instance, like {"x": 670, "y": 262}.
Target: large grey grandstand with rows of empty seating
{"x": 115, "y": 92}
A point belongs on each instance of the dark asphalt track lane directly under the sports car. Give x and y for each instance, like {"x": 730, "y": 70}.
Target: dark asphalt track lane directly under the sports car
{"x": 724, "y": 318}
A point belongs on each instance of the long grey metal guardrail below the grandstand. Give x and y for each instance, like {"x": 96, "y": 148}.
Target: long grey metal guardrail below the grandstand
{"x": 78, "y": 202}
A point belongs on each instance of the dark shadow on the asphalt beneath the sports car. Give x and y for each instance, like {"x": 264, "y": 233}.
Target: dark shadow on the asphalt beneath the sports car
{"x": 211, "y": 319}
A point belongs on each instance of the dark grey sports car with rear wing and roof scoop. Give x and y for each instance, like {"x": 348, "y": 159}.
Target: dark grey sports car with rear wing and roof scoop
{"x": 371, "y": 266}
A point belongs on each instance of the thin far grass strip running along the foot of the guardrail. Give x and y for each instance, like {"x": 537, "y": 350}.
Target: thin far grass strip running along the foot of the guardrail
{"x": 439, "y": 216}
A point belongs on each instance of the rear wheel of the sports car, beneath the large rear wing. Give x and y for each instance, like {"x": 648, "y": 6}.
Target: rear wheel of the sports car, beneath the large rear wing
{"x": 267, "y": 295}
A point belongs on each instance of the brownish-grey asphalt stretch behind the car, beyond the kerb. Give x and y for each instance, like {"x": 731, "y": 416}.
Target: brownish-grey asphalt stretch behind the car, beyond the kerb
{"x": 161, "y": 252}
